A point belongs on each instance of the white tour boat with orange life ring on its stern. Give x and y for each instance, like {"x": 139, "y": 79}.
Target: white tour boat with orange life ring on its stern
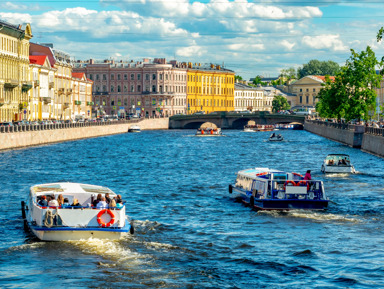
{"x": 64, "y": 223}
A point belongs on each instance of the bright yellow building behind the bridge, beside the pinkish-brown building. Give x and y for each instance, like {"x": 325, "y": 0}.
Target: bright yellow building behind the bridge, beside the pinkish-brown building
{"x": 209, "y": 89}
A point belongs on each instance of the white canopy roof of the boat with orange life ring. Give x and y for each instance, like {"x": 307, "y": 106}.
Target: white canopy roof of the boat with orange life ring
{"x": 69, "y": 188}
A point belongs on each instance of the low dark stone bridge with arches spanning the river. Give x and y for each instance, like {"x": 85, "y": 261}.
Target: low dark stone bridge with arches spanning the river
{"x": 227, "y": 120}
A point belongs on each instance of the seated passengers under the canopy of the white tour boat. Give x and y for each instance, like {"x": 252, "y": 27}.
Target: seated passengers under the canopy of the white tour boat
{"x": 101, "y": 202}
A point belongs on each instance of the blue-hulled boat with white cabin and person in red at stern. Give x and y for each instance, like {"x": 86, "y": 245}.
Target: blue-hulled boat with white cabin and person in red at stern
{"x": 270, "y": 189}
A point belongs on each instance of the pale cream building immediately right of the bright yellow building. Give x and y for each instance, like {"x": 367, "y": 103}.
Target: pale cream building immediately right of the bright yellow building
{"x": 248, "y": 98}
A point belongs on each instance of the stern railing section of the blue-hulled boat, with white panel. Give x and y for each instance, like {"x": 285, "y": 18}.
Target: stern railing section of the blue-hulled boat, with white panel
{"x": 302, "y": 189}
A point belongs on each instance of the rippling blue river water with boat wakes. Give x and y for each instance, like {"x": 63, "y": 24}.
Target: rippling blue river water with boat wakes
{"x": 188, "y": 232}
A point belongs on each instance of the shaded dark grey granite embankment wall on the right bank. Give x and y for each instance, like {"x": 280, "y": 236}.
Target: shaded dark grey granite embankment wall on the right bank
{"x": 367, "y": 139}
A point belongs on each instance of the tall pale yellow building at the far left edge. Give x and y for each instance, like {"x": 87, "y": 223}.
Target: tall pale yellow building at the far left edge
{"x": 15, "y": 76}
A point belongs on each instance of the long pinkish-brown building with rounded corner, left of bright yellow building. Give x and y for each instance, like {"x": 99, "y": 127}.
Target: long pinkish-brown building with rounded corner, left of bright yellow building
{"x": 146, "y": 88}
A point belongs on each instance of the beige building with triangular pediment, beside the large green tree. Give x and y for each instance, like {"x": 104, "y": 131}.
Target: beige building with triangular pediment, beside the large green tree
{"x": 306, "y": 89}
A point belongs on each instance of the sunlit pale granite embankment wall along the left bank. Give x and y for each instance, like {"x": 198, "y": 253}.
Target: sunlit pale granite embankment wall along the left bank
{"x": 13, "y": 140}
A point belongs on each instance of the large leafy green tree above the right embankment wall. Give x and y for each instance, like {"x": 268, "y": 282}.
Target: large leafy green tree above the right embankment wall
{"x": 352, "y": 94}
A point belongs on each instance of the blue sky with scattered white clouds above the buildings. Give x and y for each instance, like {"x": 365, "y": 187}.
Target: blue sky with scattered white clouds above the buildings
{"x": 252, "y": 38}
